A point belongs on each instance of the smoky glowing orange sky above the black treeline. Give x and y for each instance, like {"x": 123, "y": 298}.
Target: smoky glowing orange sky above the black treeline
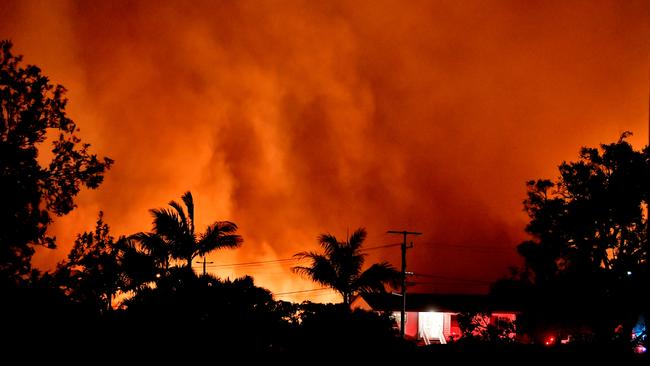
{"x": 296, "y": 118}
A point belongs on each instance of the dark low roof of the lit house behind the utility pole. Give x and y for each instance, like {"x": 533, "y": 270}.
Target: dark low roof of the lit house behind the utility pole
{"x": 454, "y": 303}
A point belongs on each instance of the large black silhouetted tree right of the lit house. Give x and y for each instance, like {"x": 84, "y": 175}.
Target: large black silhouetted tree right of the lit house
{"x": 589, "y": 253}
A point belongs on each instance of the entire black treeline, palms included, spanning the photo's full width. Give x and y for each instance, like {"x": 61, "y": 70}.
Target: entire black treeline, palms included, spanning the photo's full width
{"x": 585, "y": 279}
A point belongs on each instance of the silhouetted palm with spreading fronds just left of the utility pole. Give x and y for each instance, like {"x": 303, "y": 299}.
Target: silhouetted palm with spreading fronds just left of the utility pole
{"x": 339, "y": 267}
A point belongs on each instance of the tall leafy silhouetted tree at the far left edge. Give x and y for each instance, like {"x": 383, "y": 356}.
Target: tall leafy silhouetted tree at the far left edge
{"x": 34, "y": 187}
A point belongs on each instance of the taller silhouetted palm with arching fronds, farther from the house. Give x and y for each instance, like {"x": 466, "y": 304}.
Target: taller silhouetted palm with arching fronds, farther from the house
{"x": 176, "y": 226}
